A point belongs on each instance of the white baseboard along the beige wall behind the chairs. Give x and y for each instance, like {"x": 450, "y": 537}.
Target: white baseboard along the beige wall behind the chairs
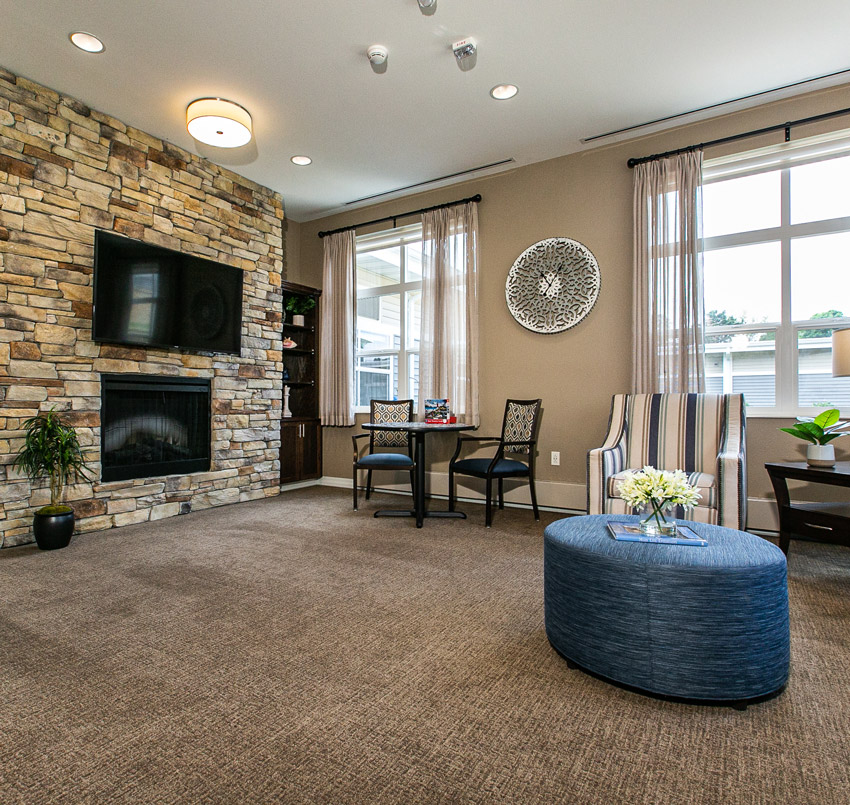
{"x": 553, "y": 496}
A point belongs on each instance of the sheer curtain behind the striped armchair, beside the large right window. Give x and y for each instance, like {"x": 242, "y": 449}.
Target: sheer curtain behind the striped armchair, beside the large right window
{"x": 668, "y": 300}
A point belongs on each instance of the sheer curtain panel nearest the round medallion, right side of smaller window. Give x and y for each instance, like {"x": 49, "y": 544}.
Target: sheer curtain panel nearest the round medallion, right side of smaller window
{"x": 448, "y": 353}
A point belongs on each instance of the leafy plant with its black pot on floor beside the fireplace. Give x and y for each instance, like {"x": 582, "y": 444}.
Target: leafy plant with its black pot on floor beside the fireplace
{"x": 51, "y": 450}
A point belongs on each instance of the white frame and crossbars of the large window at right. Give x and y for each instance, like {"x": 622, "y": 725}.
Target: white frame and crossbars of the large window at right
{"x": 786, "y": 331}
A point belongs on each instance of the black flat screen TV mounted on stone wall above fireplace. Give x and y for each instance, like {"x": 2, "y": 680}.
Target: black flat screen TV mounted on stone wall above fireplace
{"x": 148, "y": 296}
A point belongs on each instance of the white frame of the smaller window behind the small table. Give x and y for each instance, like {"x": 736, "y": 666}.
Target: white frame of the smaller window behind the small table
{"x": 396, "y": 237}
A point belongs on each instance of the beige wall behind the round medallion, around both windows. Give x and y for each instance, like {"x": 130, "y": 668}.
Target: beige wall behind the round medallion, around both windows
{"x": 587, "y": 197}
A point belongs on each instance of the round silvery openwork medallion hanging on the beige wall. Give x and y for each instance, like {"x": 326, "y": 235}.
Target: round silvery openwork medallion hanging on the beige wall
{"x": 553, "y": 285}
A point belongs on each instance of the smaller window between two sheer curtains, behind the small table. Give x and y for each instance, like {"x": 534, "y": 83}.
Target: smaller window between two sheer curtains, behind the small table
{"x": 389, "y": 296}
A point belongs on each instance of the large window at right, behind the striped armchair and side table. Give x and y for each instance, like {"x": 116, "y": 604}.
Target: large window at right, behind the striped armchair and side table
{"x": 776, "y": 255}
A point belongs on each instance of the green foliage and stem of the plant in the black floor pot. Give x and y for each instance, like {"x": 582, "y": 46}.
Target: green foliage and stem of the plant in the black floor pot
{"x": 51, "y": 450}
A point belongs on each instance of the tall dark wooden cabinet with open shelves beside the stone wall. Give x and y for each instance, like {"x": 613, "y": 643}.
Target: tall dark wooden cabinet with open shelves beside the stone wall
{"x": 300, "y": 433}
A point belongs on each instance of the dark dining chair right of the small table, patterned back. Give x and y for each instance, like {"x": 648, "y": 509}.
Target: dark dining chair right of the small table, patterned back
{"x": 519, "y": 437}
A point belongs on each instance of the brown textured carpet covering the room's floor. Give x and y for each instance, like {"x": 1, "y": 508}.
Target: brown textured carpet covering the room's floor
{"x": 292, "y": 650}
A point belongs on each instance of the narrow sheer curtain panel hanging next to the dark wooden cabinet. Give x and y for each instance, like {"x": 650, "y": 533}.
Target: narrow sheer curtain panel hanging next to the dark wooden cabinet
{"x": 336, "y": 372}
